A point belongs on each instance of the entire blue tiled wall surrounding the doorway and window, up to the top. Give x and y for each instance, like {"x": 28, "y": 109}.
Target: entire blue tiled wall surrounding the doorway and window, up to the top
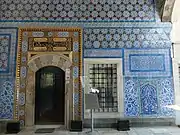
{"x": 126, "y": 29}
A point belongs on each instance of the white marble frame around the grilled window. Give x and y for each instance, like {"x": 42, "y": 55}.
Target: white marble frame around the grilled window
{"x": 117, "y": 61}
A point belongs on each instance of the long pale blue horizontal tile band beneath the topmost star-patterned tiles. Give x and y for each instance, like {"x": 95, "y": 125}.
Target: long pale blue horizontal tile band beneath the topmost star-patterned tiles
{"x": 151, "y": 25}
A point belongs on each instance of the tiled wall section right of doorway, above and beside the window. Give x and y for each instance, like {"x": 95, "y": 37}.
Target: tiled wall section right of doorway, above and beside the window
{"x": 147, "y": 67}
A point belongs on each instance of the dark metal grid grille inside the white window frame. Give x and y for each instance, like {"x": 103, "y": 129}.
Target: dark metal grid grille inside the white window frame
{"x": 104, "y": 78}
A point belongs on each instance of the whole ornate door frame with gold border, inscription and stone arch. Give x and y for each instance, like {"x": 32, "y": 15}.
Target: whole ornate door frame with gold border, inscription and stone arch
{"x": 71, "y": 38}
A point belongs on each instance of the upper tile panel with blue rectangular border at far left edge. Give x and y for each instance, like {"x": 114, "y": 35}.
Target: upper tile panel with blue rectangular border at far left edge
{"x": 8, "y": 47}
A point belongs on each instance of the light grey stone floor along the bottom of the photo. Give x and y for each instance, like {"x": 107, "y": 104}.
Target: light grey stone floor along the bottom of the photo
{"x": 167, "y": 130}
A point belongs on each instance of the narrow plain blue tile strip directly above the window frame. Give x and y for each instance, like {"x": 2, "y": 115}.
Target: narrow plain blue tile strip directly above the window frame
{"x": 102, "y": 53}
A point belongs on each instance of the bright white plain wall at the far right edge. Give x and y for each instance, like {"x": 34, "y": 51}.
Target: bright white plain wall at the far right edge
{"x": 175, "y": 37}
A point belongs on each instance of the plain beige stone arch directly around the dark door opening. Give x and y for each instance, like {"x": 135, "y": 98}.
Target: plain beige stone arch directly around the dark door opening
{"x": 36, "y": 63}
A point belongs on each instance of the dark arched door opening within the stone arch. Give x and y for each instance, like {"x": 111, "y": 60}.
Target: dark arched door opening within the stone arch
{"x": 49, "y": 96}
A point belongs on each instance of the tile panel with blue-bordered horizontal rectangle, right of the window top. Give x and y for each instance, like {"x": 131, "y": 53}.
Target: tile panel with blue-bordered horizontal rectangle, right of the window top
{"x": 152, "y": 63}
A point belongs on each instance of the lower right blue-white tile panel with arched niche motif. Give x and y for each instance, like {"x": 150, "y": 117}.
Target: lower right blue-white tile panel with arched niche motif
{"x": 148, "y": 97}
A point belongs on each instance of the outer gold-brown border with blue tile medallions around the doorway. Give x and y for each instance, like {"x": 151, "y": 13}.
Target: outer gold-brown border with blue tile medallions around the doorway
{"x": 24, "y": 36}
